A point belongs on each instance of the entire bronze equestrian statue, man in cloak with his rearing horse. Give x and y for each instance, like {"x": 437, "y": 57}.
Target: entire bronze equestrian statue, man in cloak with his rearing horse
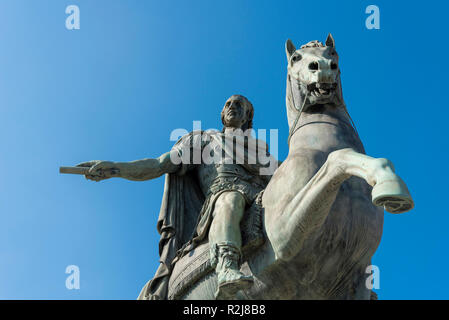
{"x": 310, "y": 233}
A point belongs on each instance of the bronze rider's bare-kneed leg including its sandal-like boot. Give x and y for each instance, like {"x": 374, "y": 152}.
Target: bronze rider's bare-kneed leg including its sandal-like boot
{"x": 226, "y": 242}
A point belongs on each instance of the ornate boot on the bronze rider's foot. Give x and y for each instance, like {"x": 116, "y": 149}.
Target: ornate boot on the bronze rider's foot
{"x": 225, "y": 256}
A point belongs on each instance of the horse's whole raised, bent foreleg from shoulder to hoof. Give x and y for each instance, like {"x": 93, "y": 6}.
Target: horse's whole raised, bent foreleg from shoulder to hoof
{"x": 308, "y": 209}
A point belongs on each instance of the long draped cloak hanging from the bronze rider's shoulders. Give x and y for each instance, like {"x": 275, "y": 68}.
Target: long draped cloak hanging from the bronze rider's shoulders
{"x": 180, "y": 222}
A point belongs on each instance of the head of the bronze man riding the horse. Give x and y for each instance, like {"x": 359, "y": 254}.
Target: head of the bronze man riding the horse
{"x": 237, "y": 113}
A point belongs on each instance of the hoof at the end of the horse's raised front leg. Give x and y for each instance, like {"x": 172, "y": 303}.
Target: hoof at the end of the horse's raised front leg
{"x": 393, "y": 195}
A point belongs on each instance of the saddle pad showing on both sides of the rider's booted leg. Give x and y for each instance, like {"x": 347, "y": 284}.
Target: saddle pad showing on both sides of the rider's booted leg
{"x": 196, "y": 265}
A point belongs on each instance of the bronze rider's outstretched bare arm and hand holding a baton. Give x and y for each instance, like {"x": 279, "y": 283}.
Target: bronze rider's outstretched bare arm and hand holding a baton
{"x": 138, "y": 170}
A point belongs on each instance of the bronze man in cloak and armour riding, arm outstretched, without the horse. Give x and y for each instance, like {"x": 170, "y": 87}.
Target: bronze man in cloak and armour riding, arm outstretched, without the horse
{"x": 227, "y": 187}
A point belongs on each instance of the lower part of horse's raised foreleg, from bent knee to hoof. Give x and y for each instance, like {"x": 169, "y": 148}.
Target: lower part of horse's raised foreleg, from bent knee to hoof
{"x": 389, "y": 190}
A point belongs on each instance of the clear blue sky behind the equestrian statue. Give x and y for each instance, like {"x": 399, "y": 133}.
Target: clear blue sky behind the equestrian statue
{"x": 136, "y": 70}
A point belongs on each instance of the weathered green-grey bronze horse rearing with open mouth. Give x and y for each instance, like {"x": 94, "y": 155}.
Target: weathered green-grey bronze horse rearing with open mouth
{"x": 323, "y": 208}
